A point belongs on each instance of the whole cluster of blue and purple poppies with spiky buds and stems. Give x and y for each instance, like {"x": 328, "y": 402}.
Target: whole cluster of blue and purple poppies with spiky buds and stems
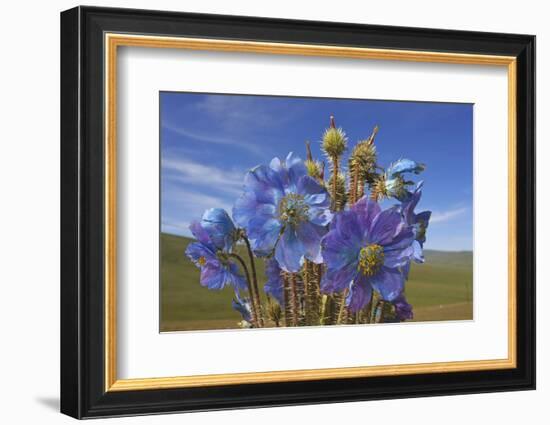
{"x": 332, "y": 254}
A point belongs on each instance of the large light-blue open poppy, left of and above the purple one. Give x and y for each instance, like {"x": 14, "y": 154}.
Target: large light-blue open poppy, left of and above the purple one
{"x": 284, "y": 209}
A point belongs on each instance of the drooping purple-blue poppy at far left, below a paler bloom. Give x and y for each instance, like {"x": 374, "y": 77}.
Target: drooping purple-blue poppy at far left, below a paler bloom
{"x": 217, "y": 269}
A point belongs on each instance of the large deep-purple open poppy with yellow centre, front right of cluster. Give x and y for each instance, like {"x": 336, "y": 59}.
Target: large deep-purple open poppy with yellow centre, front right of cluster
{"x": 364, "y": 250}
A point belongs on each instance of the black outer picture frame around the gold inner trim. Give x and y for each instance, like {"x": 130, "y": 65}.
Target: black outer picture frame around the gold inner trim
{"x": 83, "y": 392}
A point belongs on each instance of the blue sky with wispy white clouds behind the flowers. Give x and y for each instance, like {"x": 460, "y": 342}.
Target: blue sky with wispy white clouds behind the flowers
{"x": 208, "y": 142}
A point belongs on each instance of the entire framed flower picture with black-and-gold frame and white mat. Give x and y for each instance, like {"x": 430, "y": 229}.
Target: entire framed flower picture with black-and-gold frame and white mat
{"x": 261, "y": 212}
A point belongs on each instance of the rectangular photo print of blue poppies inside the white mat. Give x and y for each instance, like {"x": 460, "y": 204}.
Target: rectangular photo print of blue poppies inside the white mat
{"x": 291, "y": 211}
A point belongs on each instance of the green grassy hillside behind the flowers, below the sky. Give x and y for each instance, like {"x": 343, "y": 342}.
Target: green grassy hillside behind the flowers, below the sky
{"x": 440, "y": 289}
